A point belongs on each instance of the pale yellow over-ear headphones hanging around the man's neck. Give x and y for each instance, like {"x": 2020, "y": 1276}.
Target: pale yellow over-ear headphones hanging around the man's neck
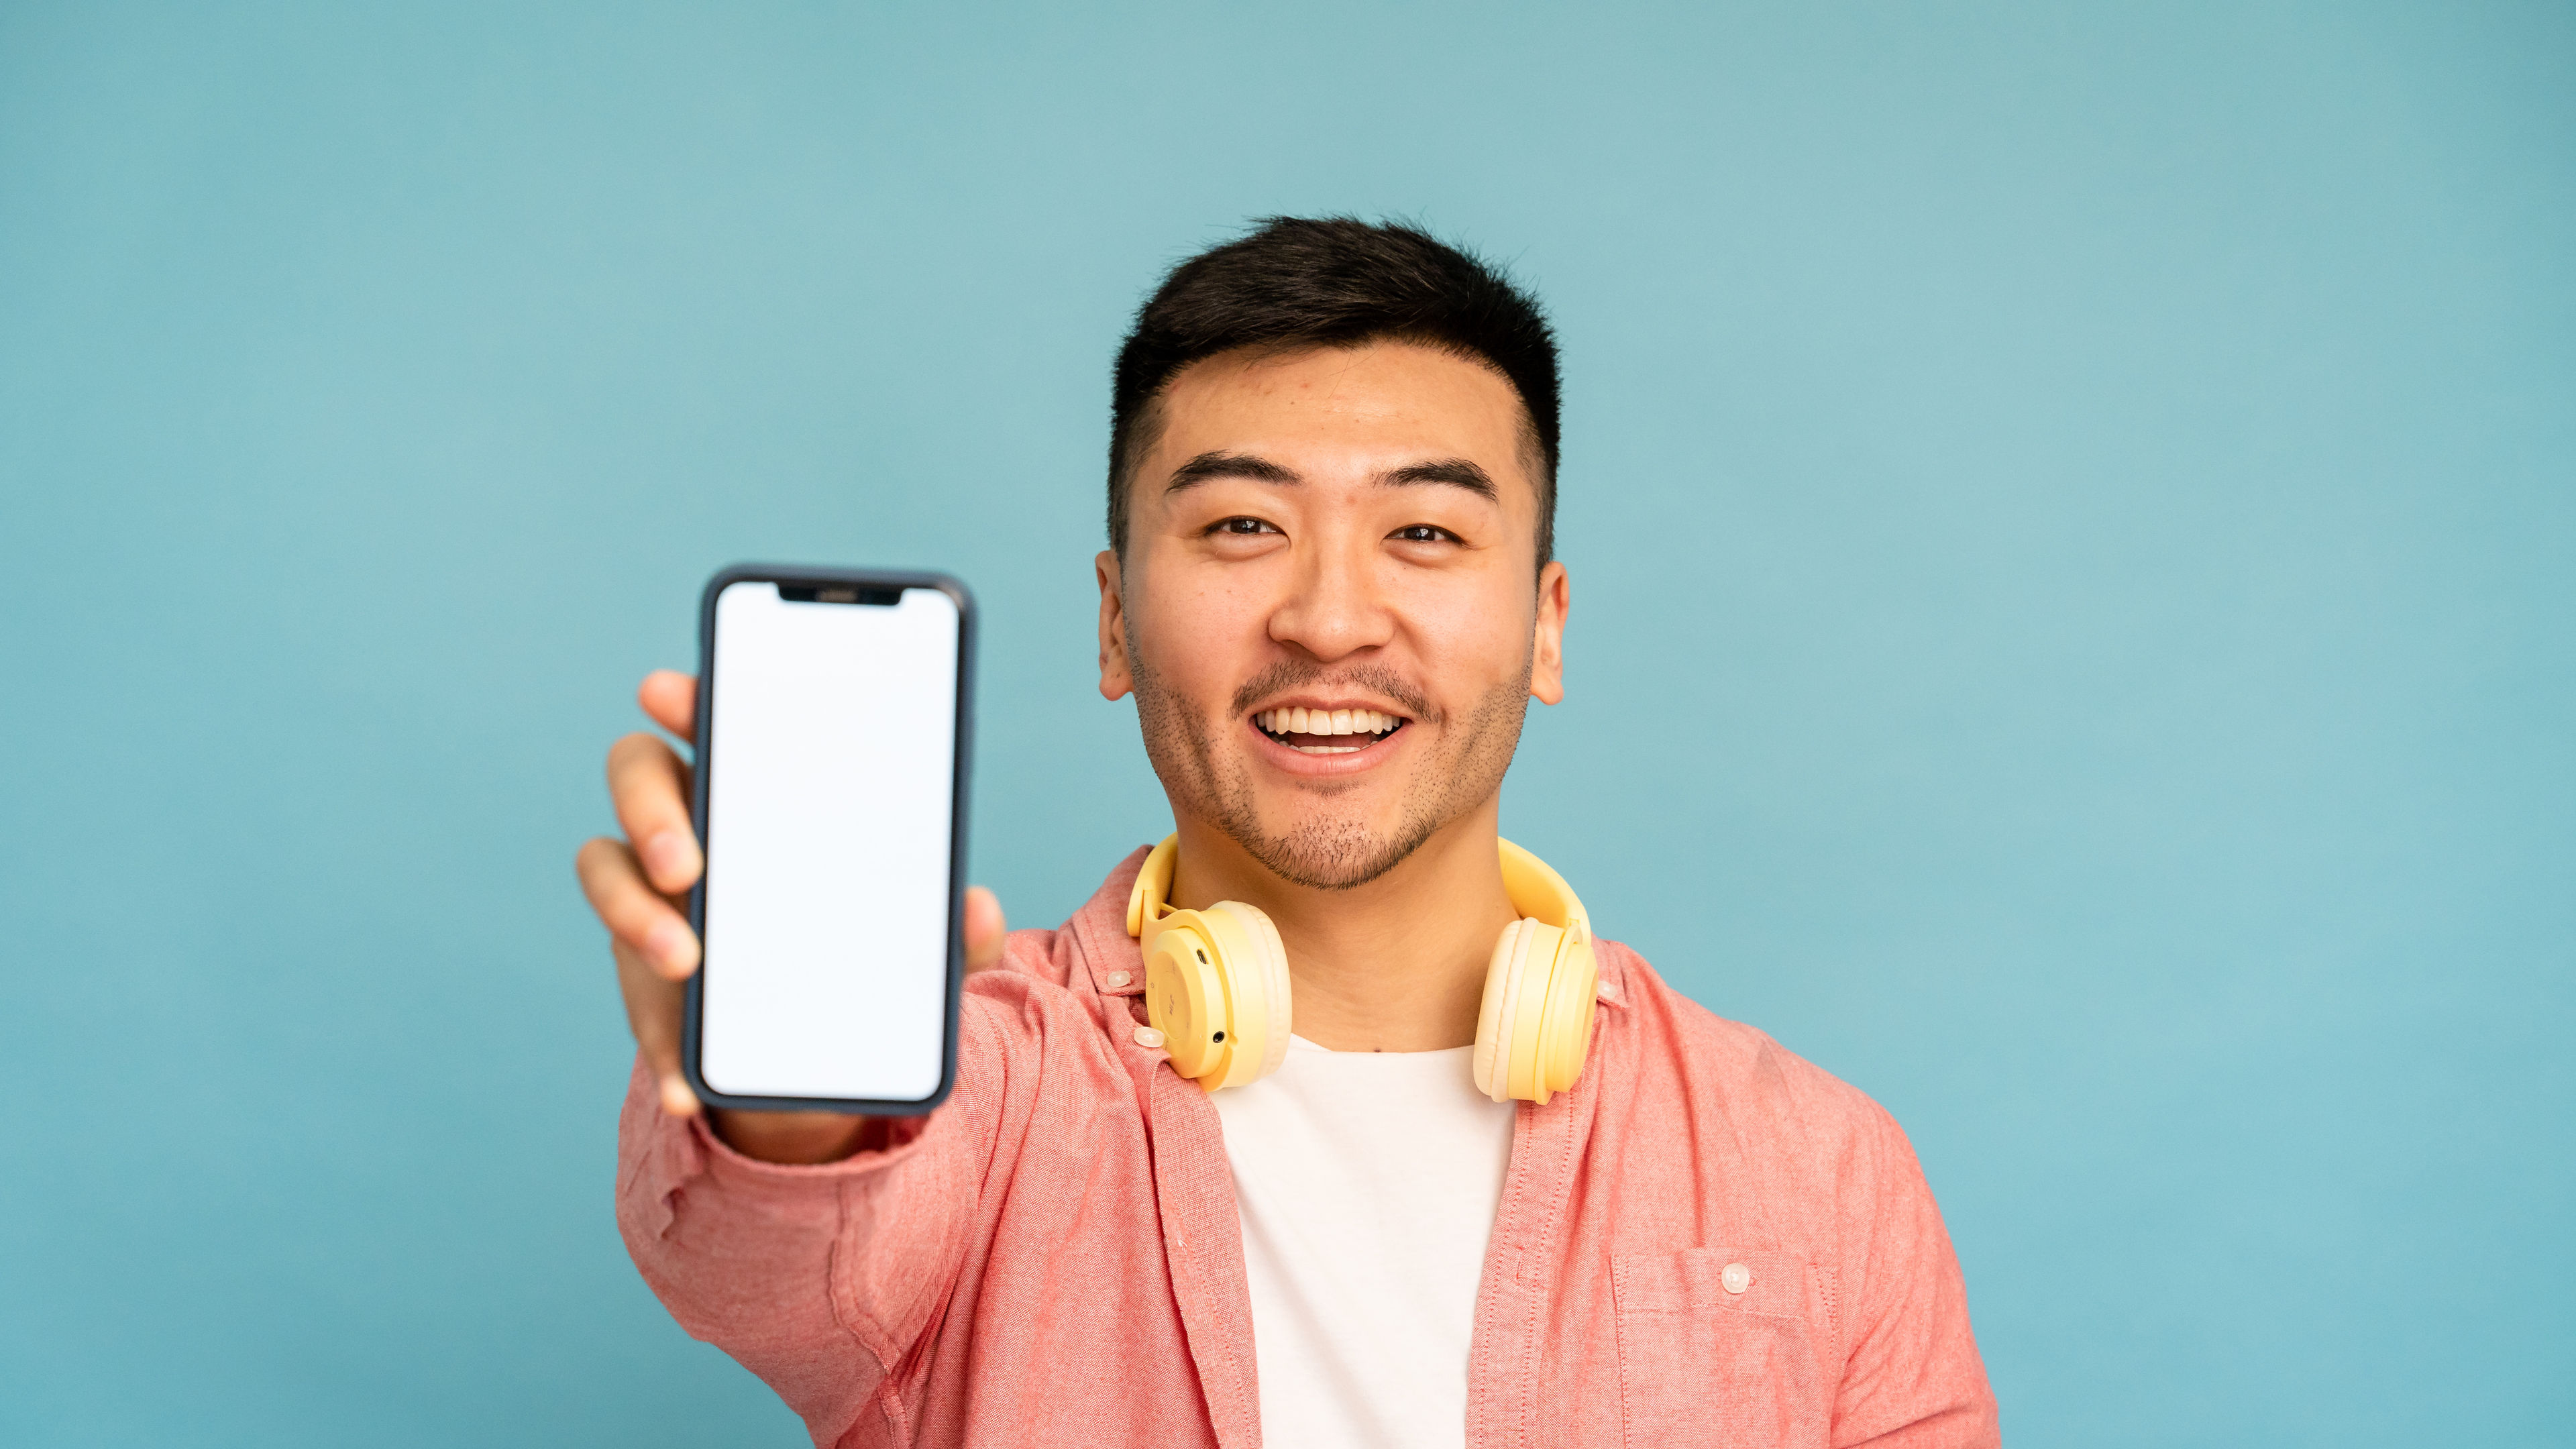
{"x": 1217, "y": 984}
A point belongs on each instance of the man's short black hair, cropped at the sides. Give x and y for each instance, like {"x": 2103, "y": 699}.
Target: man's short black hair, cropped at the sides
{"x": 1333, "y": 282}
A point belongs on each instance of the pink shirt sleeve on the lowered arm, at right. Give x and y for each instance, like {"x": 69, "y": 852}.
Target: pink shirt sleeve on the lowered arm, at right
{"x": 1913, "y": 1378}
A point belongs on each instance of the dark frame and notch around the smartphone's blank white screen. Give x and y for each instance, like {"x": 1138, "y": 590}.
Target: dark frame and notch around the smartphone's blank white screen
{"x": 792, "y": 576}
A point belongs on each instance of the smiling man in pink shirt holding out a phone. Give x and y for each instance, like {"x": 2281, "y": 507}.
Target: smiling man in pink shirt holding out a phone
{"x": 1331, "y": 589}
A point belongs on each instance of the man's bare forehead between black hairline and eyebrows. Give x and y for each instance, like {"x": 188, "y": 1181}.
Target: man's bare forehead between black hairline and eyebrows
{"x": 1336, "y": 409}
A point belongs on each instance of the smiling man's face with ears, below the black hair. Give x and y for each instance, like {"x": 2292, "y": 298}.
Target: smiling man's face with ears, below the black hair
{"x": 1331, "y": 607}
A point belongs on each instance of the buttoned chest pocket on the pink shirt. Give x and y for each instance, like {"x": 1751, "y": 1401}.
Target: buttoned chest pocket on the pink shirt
{"x": 1725, "y": 1347}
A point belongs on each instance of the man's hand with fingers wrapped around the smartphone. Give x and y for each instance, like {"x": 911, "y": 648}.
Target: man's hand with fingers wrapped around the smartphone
{"x": 638, "y": 888}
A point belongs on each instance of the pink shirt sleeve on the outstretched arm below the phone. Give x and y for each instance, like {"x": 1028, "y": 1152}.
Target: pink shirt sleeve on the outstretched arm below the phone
{"x": 820, "y": 1280}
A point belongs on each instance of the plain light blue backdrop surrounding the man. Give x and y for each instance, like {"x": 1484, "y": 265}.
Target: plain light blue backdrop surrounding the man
{"x": 2072, "y": 530}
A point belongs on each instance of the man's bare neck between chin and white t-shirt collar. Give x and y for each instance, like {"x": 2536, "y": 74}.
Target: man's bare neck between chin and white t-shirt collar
{"x": 1392, "y": 966}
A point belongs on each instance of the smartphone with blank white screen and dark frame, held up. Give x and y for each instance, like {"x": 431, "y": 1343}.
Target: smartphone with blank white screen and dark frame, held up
{"x": 833, "y": 723}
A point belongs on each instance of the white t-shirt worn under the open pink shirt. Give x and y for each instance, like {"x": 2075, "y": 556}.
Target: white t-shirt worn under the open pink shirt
{"x": 1367, "y": 1187}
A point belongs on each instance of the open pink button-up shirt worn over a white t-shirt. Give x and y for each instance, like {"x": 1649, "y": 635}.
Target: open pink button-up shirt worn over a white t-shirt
{"x": 1055, "y": 1259}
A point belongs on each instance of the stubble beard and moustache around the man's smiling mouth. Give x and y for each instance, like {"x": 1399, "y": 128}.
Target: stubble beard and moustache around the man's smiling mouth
{"x": 1325, "y": 847}
